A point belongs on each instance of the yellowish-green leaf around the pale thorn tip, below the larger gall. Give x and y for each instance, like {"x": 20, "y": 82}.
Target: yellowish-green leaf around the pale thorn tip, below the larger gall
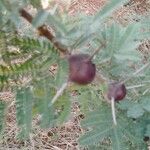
{"x": 51, "y": 115}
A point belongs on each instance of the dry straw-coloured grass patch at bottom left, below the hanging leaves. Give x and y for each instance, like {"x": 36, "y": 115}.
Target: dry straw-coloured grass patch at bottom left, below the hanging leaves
{"x": 58, "y": 138}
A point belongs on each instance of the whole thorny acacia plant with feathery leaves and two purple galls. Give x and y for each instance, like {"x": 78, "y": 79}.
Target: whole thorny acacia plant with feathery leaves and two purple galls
{"x": 94, "y": 55}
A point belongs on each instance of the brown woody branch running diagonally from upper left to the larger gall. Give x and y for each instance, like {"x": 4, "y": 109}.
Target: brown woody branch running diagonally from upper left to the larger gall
{"x": 43, "y": 30}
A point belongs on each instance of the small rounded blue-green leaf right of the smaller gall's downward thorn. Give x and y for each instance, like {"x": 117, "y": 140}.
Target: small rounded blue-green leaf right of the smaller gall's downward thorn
{"x": 135, "y": 111}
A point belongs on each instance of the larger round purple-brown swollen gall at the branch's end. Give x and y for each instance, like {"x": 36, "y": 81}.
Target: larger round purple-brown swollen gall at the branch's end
{"x": 81, "y": 69}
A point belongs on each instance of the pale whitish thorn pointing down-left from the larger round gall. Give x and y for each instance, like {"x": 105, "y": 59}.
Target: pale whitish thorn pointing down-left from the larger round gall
{"x": 59, "y": 93}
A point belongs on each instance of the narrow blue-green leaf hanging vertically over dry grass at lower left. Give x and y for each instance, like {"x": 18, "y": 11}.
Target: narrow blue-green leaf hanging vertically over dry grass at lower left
{"x": 24, "y": 102}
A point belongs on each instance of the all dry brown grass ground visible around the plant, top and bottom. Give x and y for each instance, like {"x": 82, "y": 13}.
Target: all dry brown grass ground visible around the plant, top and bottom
{"x": 65, "y": 137}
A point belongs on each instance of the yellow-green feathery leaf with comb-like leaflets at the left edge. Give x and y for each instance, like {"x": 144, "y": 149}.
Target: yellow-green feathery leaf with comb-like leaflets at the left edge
{"x": 36, "y": 57}
